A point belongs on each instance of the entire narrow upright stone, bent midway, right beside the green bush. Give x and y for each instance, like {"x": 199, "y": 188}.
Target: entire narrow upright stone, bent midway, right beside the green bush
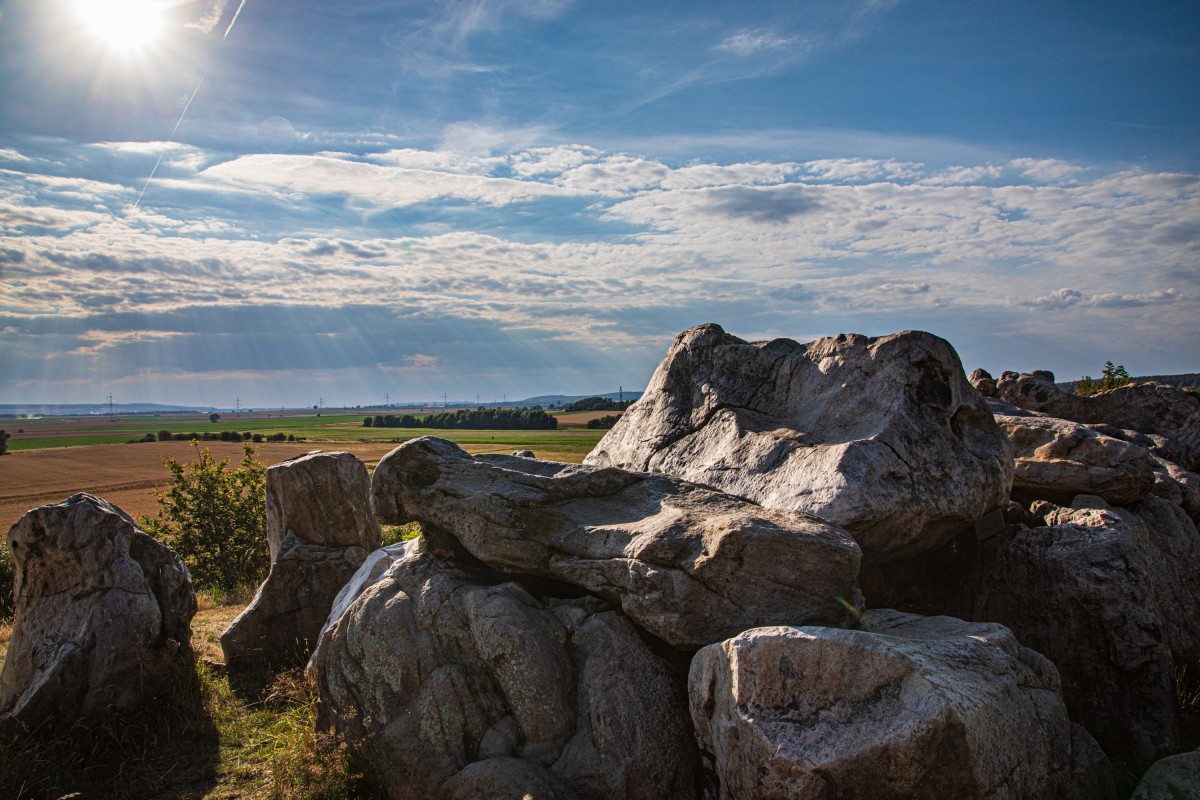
{"x": 321, "y": 528}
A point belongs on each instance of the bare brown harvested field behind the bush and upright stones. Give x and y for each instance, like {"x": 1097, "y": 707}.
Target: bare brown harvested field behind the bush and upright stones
{"x": 127, "y": 476}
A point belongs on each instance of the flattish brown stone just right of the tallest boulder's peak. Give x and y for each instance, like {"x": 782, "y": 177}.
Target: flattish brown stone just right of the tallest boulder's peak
{"x": 1057, "y": 460}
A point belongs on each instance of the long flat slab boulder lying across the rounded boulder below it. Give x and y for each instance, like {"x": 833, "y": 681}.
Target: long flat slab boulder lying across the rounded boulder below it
{"x": 689, "y": 564}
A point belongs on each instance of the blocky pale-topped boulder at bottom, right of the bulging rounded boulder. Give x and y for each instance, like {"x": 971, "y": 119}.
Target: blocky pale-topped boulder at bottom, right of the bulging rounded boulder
{"x": 905, "y": 707}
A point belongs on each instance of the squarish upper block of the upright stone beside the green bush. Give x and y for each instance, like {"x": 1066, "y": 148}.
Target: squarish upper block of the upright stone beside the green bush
{"x": 325, "y": 500}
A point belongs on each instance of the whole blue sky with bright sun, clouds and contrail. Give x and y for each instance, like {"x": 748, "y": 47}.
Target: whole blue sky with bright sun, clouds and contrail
{"x": 269, "y": 203}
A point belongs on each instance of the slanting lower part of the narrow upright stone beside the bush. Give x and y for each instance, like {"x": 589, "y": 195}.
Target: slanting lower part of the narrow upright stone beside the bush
{"x": 279, "y": 629}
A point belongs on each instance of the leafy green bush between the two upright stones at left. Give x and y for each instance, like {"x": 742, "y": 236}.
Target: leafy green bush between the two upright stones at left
{"x": 217, "y": 520}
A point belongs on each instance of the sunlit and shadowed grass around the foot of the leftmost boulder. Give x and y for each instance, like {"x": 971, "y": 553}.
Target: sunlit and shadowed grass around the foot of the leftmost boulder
{"x": 206, "y": 744}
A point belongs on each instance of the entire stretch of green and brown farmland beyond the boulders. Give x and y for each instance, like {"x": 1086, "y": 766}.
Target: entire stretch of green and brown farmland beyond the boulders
{"x": 51, "y": 460}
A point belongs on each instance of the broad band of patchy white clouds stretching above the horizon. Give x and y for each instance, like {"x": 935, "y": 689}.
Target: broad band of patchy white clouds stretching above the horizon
{"x": 434, "y": 266}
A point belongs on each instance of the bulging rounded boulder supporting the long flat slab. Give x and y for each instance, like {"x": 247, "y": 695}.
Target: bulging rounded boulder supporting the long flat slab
{"x": 455, "y": 685}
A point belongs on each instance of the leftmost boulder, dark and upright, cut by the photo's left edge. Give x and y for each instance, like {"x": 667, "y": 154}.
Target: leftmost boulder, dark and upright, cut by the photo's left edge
{"x": 103, "y": 618}
